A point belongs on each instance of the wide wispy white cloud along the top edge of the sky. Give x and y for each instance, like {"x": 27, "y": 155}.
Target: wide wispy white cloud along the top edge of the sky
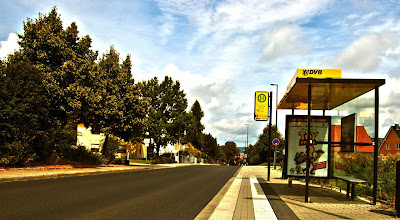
{"x": 221, "y": 22}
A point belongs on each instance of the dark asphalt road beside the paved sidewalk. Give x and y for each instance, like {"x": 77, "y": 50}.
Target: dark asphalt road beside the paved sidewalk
{"x": 174, "y": 193}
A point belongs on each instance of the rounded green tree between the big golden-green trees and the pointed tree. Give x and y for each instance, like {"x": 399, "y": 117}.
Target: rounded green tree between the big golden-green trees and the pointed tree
{"x": 167, "y": 111}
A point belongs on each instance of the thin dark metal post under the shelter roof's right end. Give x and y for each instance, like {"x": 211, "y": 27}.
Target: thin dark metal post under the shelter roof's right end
{"x": 375, "y": 183}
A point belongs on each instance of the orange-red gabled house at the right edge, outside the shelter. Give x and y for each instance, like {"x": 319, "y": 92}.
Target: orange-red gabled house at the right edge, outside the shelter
{"x": 391, "y": 142}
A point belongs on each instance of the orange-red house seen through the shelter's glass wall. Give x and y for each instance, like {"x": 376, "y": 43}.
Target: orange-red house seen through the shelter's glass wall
{"x": 361, "y": 137}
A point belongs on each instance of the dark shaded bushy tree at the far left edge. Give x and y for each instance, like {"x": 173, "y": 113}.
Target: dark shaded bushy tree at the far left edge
{"x": 24, "y": 118}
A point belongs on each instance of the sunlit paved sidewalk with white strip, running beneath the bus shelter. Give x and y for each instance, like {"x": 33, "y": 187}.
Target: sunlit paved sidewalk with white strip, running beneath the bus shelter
{"x": 250, "y": 196}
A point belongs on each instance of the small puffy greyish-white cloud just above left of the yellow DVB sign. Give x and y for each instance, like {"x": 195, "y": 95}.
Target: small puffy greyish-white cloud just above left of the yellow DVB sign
{"x": 282, "y": 40}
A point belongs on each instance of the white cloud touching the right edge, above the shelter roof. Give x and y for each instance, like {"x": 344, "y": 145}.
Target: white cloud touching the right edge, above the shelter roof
{"x": 366, "y": 53}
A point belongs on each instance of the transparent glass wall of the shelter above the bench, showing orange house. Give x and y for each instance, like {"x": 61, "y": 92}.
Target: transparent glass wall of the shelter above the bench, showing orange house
{"x": 353, "y": 132}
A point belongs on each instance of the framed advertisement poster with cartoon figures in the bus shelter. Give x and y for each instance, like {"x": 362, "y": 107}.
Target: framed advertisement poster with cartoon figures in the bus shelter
{"x": 296, "y": 137}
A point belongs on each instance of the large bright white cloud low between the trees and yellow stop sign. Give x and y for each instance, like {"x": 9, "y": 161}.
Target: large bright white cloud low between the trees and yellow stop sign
{"x": 219, "y": 99}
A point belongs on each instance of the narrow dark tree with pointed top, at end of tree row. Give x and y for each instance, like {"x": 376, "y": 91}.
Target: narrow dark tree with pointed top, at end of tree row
{"x": 195, "y": 135}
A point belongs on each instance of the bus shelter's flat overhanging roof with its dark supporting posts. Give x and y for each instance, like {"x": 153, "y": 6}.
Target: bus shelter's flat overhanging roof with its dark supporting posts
{"x": 309, "y": 93}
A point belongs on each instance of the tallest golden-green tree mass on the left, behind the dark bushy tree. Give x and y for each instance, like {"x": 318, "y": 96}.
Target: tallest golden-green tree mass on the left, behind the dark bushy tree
{"x": 78, "y": 90}
